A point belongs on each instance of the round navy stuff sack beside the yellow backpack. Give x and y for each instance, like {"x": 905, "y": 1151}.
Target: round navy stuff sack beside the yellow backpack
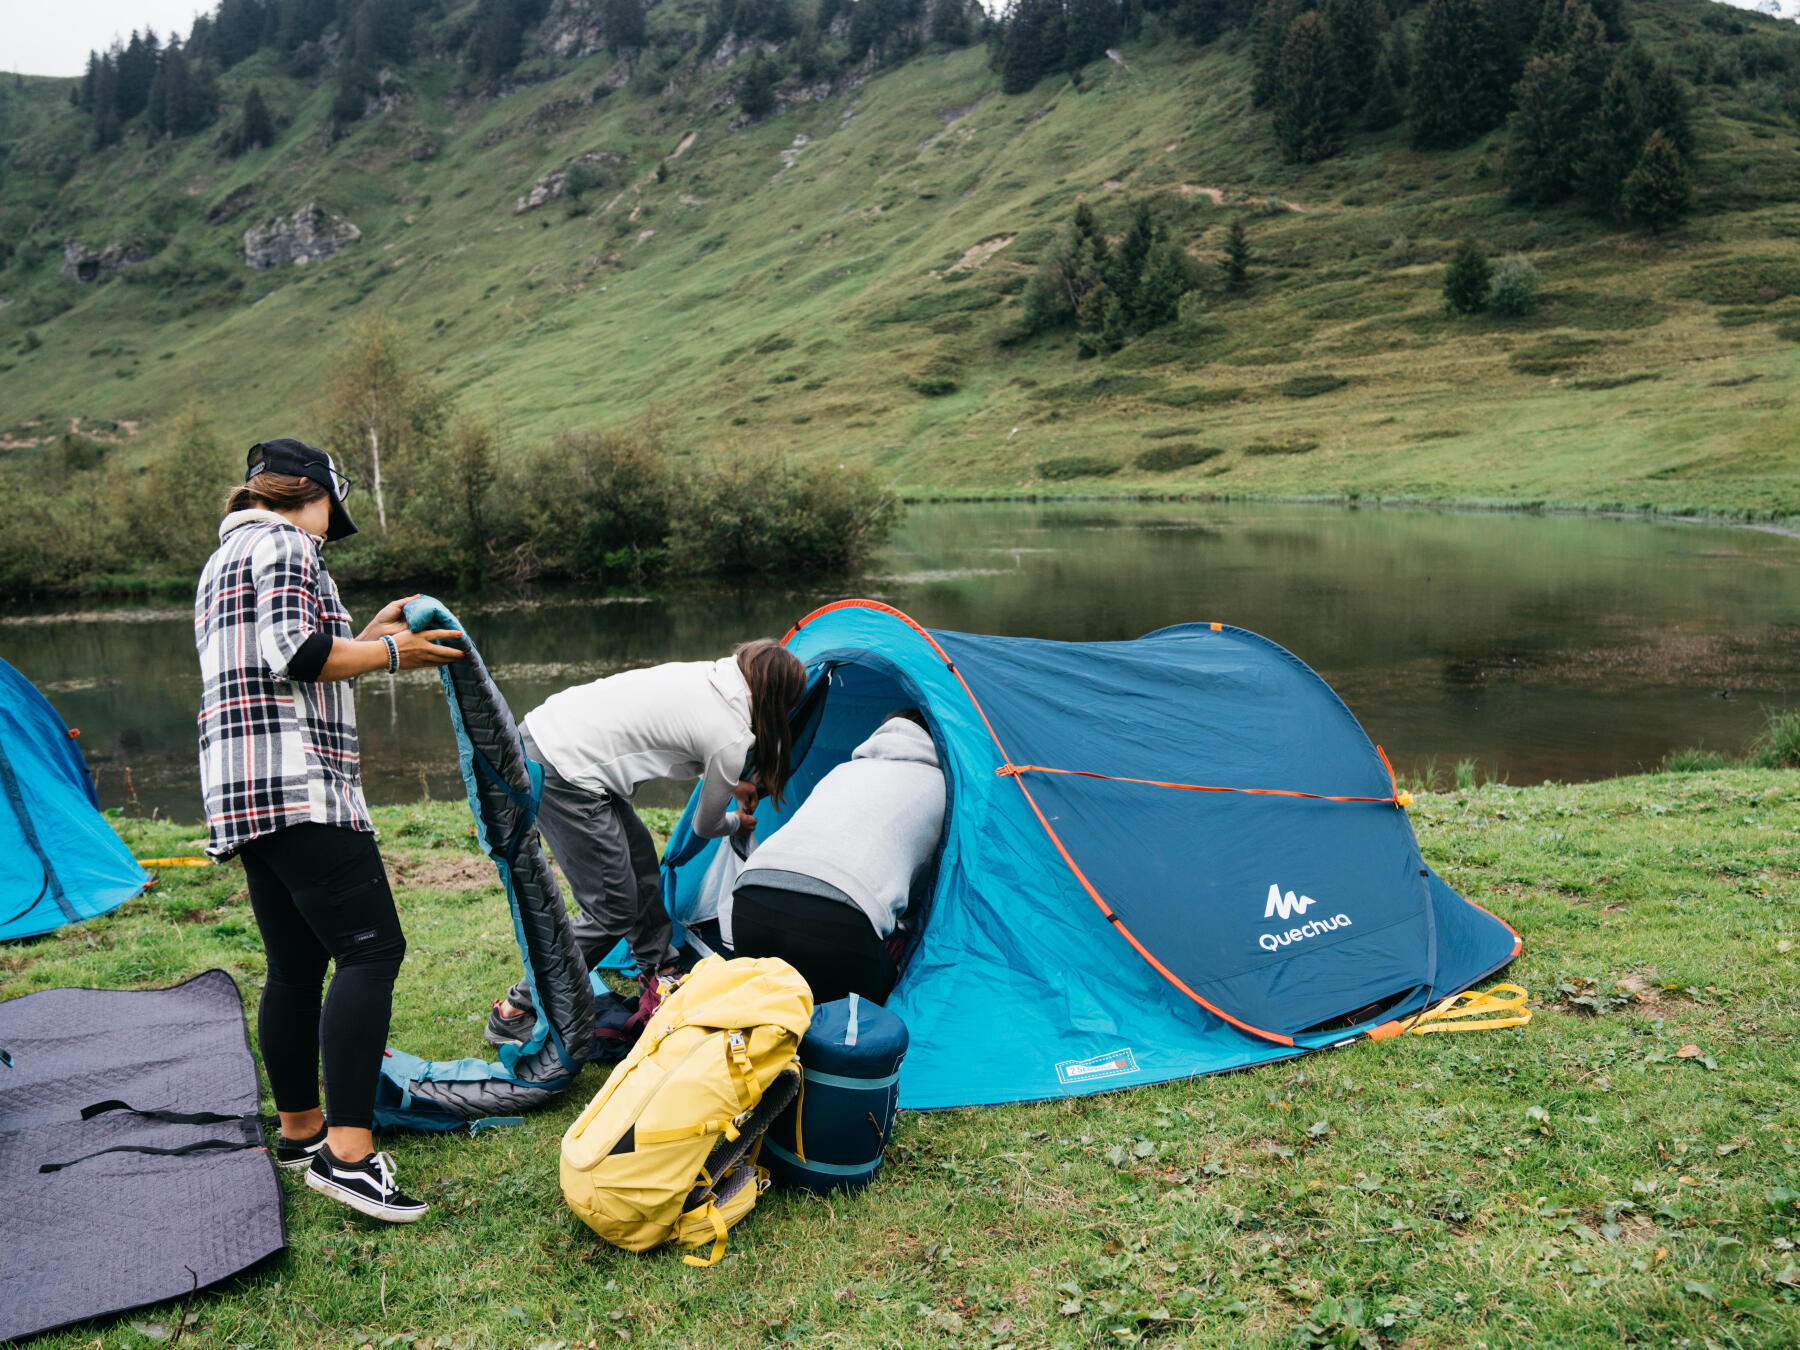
{"x": 834, "y": 1135}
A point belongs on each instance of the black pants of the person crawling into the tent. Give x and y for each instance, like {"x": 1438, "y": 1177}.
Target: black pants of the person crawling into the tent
{"x": 831, "y": 942}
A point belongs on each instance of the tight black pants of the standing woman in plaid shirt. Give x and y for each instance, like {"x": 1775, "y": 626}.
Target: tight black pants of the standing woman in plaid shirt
{"x": 321, "y": 895}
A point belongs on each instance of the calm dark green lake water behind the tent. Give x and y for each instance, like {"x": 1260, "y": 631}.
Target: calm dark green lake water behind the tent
{"x": 1538, "y": 647}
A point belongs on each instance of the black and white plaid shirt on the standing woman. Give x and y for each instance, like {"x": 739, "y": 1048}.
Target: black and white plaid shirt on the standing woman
{"x": 273, "y": 751}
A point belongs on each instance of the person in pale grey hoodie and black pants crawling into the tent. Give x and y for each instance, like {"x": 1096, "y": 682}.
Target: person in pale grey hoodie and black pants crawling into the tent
{"x": 829, "y": 888}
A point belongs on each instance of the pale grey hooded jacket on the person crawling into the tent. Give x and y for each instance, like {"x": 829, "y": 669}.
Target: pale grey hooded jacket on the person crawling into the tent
{"x": 867, "y": 829}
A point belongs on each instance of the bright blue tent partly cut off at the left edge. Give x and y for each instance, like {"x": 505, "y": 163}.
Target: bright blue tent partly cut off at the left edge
{"x": 60, "y": 863}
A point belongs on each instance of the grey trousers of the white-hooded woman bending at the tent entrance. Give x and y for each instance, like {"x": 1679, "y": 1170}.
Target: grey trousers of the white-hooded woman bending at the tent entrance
{"x": 611, "y": 863}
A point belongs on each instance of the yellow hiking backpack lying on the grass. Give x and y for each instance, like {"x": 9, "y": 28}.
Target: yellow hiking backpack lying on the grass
{"x": 669, "y": 1147}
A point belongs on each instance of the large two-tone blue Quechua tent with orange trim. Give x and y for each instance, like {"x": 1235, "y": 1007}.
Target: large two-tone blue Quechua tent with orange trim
{"x": 1164, "y": 858}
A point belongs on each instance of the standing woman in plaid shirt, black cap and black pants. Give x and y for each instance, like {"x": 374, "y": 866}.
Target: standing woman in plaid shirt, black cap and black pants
{"x": 283, "y": 793}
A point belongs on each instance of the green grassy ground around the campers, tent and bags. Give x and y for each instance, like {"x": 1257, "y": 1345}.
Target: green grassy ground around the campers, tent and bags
{"x": 1585, "y": 1182}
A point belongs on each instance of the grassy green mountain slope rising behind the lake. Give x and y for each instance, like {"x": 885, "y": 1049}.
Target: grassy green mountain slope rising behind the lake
{"x": 798, "y": 282}
